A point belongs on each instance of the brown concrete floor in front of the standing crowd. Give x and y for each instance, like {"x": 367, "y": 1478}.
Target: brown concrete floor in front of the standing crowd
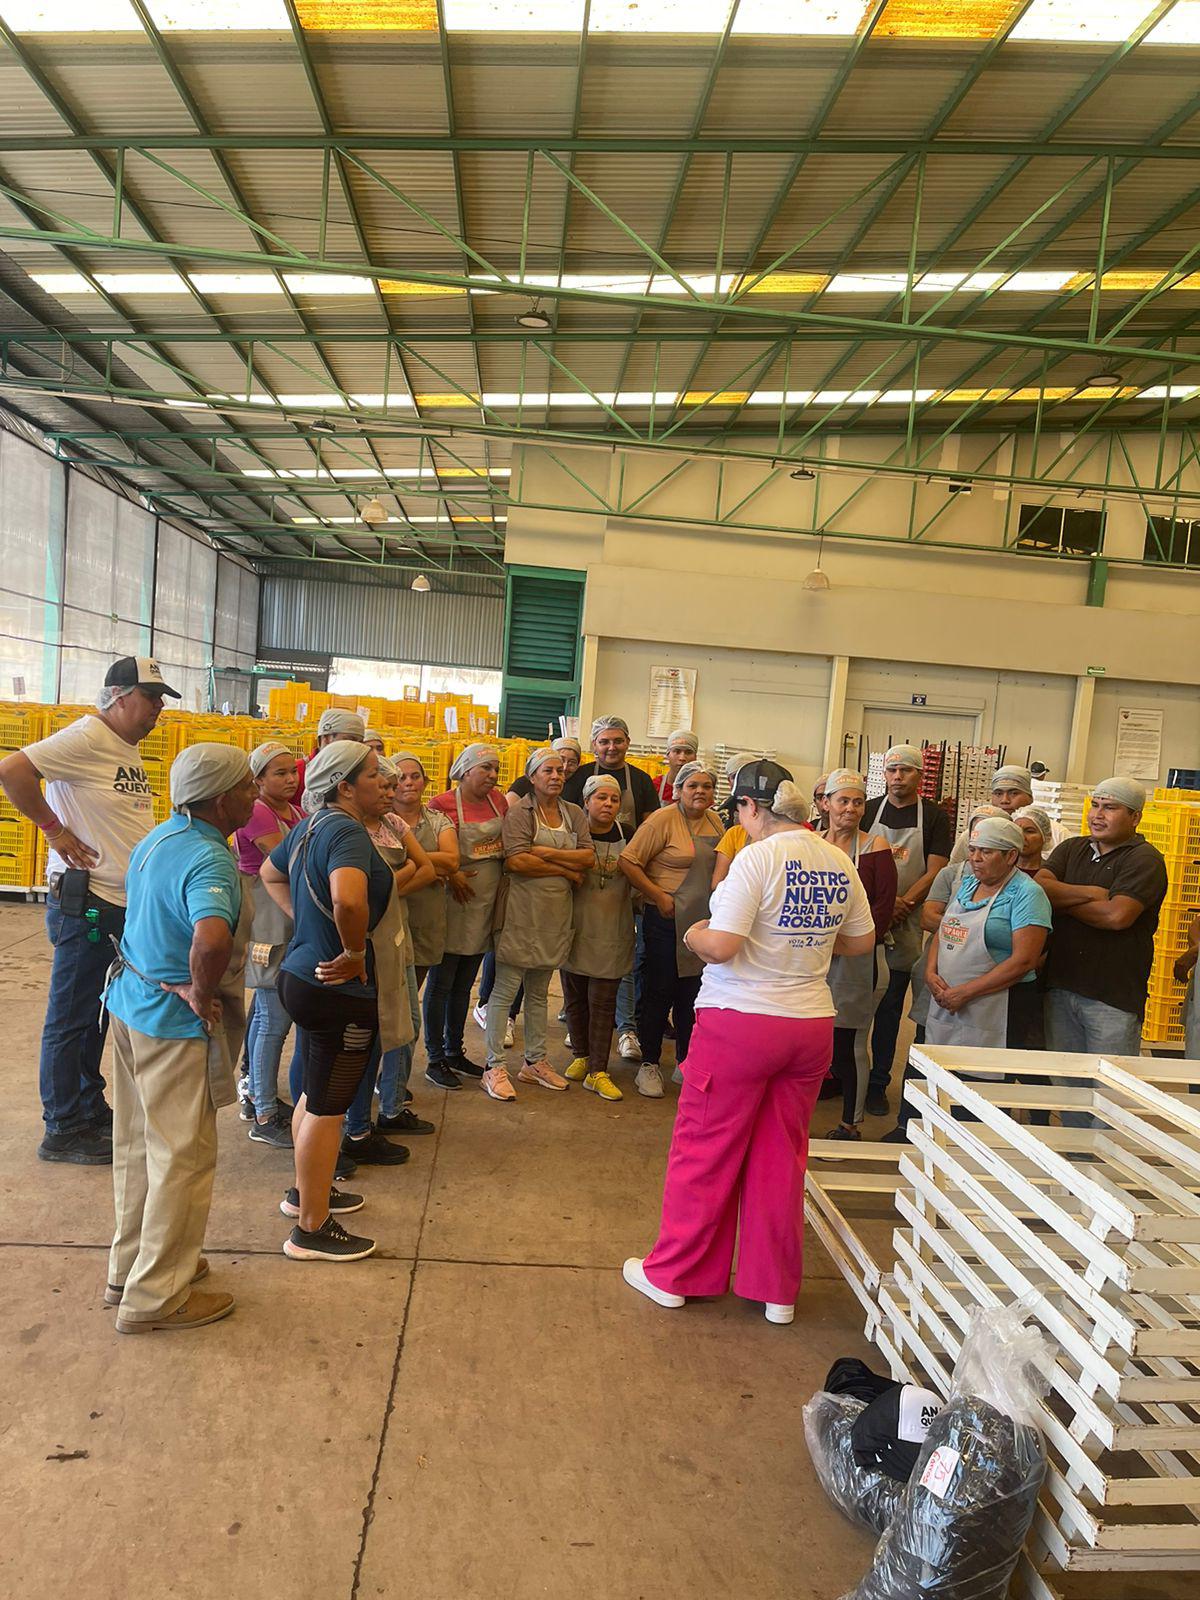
{"x": 484, "y": 1409}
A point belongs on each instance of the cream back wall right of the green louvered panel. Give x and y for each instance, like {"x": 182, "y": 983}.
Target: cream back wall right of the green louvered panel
{"x": 974, "y": 628}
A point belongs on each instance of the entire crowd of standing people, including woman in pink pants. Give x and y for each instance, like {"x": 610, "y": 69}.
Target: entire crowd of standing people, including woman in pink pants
{"x": 777, "y": 945}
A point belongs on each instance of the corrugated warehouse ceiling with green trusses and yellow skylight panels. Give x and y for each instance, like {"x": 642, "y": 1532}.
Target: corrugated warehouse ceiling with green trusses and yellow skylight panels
{"x": 305, "y": 271}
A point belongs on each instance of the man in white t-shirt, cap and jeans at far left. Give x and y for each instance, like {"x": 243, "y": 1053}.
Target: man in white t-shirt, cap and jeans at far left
{"x": 95, "y": 809}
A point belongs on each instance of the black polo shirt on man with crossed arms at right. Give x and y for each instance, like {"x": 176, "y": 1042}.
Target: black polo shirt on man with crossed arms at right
{"x": 1108, "y": 964}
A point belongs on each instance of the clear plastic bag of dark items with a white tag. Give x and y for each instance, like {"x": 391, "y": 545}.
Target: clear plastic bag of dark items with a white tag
{"x": 967, "y": 1510}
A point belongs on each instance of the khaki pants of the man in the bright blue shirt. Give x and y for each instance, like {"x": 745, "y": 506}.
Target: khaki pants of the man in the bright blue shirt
{"x": 164, "y": 1161}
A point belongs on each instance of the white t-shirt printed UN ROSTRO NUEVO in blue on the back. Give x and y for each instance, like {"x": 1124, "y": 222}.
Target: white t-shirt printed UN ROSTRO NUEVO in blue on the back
{"x": 790, "y": 895}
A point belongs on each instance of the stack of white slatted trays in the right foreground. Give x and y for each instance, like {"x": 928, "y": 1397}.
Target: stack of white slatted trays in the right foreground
{"x": 1097, "y": 1226}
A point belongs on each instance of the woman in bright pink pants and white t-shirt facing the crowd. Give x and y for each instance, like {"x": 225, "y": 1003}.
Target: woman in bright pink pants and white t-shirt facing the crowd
{"x": 761, "y": 1049}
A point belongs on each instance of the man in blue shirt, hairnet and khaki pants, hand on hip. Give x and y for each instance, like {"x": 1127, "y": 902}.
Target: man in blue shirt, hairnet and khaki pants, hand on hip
{"x": 172, "y": 1057}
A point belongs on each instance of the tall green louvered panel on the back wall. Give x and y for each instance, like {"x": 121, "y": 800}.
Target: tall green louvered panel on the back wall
{"x": 543, "y": 615}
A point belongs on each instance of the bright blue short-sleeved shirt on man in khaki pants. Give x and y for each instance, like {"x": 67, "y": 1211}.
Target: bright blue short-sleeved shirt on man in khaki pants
{"x": 178, "y": 876}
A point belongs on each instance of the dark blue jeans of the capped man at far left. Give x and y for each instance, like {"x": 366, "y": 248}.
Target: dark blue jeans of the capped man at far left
{"x": 74, "y": 1033}
